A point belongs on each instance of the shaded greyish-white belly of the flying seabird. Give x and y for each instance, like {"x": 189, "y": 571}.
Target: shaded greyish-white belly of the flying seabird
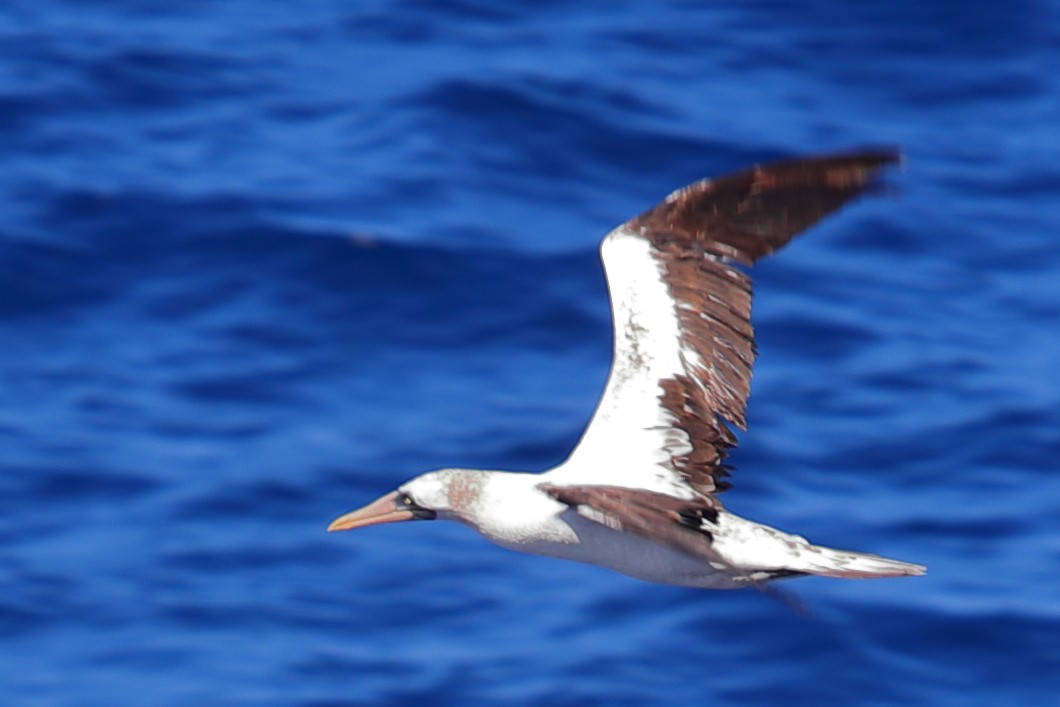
{"x": 627, "y": 554}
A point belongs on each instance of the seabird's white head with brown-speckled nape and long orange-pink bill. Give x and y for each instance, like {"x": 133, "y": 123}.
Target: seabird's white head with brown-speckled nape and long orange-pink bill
{"x": 446, "y": 493}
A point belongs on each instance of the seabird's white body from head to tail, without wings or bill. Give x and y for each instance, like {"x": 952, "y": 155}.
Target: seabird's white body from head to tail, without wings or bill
{"x": 508, "y": 509}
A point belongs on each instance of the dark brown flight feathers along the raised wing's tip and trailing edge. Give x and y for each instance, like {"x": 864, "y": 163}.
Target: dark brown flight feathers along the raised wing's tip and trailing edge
{"x": 697, "y": 235}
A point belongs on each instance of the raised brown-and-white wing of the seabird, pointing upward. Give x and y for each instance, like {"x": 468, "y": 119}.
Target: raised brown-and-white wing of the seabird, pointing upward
{"x": 684, "y": 344}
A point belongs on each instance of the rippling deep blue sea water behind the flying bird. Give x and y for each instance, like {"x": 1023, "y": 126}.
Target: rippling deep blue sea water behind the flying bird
{"x": 261, "y": 262}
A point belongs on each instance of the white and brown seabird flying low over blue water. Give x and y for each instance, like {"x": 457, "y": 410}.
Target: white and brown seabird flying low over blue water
{"x": 640, "y": 494}
